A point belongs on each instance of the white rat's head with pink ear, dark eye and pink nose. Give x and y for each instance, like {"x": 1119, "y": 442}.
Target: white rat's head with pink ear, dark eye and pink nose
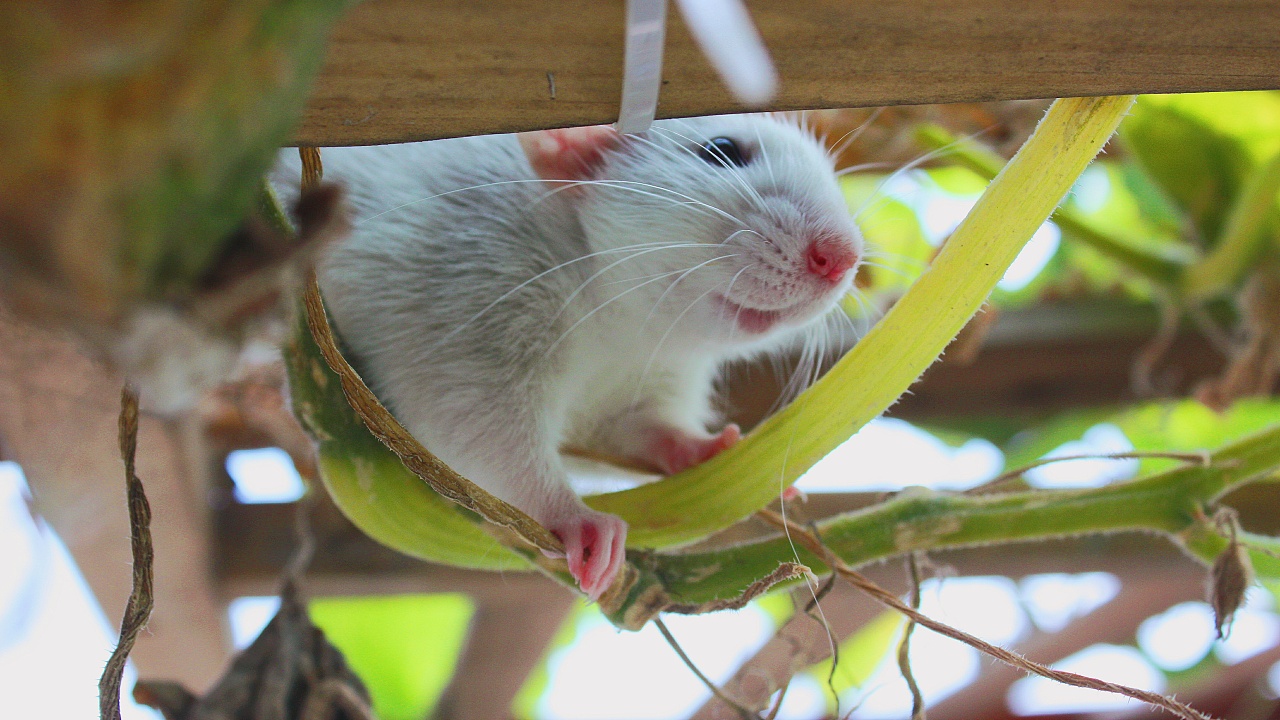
{"x": 747, "y": 204}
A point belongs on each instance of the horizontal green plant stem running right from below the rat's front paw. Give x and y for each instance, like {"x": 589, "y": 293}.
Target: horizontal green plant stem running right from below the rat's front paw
{"x": 1172, "y": 503}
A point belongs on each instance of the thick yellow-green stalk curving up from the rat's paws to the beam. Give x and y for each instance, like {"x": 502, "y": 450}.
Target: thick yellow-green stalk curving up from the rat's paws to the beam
{"x": 894, "y": 354}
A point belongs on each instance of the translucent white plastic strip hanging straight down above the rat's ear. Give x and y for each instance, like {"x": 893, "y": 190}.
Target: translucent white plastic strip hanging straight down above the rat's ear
{"x": 642, "y": 70}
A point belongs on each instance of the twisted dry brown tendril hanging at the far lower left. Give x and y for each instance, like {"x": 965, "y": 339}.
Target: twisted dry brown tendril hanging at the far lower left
{"x": 141, "y": 600}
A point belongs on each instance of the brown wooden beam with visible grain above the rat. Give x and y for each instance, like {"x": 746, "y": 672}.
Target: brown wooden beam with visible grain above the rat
{"x": 417, "y": 70}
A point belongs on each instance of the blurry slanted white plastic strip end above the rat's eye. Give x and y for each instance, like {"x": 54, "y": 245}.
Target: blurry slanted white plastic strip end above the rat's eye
{"x": 729, "y": 39}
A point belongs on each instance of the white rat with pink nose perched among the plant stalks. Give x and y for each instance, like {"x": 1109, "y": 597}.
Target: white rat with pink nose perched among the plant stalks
{"x": 509, "y": 297}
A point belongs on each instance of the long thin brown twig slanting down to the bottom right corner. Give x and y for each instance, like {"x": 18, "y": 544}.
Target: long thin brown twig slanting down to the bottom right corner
{"x": 1000, "y": 654}
